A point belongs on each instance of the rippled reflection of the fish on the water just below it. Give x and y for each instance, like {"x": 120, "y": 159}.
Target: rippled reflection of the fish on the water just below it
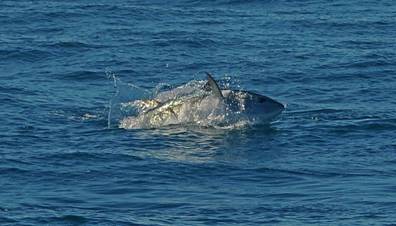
{"x": 206, "y": 145}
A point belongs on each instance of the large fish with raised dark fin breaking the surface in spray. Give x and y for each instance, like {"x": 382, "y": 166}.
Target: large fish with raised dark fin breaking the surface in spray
{"x": 207, "y": 106}
